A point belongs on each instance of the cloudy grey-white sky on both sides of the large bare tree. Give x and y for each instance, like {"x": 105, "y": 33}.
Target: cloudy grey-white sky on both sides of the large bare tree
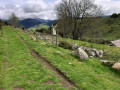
{"x": 45, "y": 9}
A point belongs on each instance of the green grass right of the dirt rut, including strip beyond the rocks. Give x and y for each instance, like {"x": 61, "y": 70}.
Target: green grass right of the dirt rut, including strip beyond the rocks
{"x": 88, "y": 75}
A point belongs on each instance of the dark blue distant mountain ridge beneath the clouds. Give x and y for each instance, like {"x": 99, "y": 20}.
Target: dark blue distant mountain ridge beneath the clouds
{"x": 33, "y": 22}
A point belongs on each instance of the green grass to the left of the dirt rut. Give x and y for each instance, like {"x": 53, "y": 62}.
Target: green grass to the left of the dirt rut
{"x": 22, "y": 69}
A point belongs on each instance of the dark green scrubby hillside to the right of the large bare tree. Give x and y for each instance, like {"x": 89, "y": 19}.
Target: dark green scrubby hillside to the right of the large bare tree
{"x": 103, "y": 30}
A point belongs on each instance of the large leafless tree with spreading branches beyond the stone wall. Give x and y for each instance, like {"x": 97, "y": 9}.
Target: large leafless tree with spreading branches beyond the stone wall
{"x": 77, "y": 14}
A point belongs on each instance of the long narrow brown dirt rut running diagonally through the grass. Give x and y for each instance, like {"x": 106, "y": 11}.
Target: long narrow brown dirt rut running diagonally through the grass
{"x": 65, "y": 81}
